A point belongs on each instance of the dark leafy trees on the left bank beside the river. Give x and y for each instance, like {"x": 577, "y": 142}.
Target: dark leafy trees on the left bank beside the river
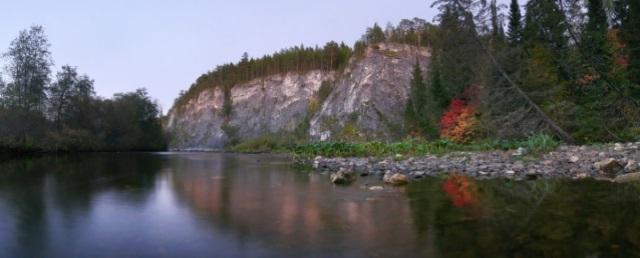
{"x": 39, "y": 112}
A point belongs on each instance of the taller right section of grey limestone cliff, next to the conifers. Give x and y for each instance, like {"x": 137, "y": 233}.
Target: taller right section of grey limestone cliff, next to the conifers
{"x": 369, "y": 98}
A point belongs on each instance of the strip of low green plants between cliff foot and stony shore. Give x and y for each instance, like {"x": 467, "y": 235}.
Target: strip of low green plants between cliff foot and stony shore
{"x": 535, "y": 145}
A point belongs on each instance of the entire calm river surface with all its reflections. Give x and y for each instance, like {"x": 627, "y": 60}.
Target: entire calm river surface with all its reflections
{"x": 219, "y": 205}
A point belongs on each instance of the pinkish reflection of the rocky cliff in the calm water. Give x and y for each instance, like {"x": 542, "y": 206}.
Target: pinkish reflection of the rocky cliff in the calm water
{"x": 258, "y": 198}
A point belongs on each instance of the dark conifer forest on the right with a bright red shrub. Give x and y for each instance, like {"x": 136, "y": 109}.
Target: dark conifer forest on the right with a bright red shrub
{"x": 568, "y": 68}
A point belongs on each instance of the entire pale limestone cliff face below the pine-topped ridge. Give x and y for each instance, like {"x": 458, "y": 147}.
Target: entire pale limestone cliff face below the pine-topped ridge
{"x": 366, "y": 100}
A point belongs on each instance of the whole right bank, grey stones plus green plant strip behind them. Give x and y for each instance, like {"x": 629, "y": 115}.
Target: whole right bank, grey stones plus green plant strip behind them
{"x": 398, "y": 163}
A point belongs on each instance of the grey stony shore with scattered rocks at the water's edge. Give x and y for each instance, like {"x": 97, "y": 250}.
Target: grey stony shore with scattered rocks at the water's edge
{"x": 618, "y": 162}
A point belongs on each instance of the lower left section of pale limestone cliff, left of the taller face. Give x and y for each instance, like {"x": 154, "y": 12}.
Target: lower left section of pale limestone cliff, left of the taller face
{"x": 263, "y": 106}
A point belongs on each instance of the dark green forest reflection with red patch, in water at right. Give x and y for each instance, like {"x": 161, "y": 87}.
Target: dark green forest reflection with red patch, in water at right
{"x": 542, "y": 218}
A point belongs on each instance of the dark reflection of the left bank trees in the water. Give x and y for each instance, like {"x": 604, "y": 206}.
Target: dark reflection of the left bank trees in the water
{"x": 35, "y": 192}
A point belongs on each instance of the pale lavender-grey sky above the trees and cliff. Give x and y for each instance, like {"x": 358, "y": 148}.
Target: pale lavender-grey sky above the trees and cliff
{"x": 165, "y": 45}
